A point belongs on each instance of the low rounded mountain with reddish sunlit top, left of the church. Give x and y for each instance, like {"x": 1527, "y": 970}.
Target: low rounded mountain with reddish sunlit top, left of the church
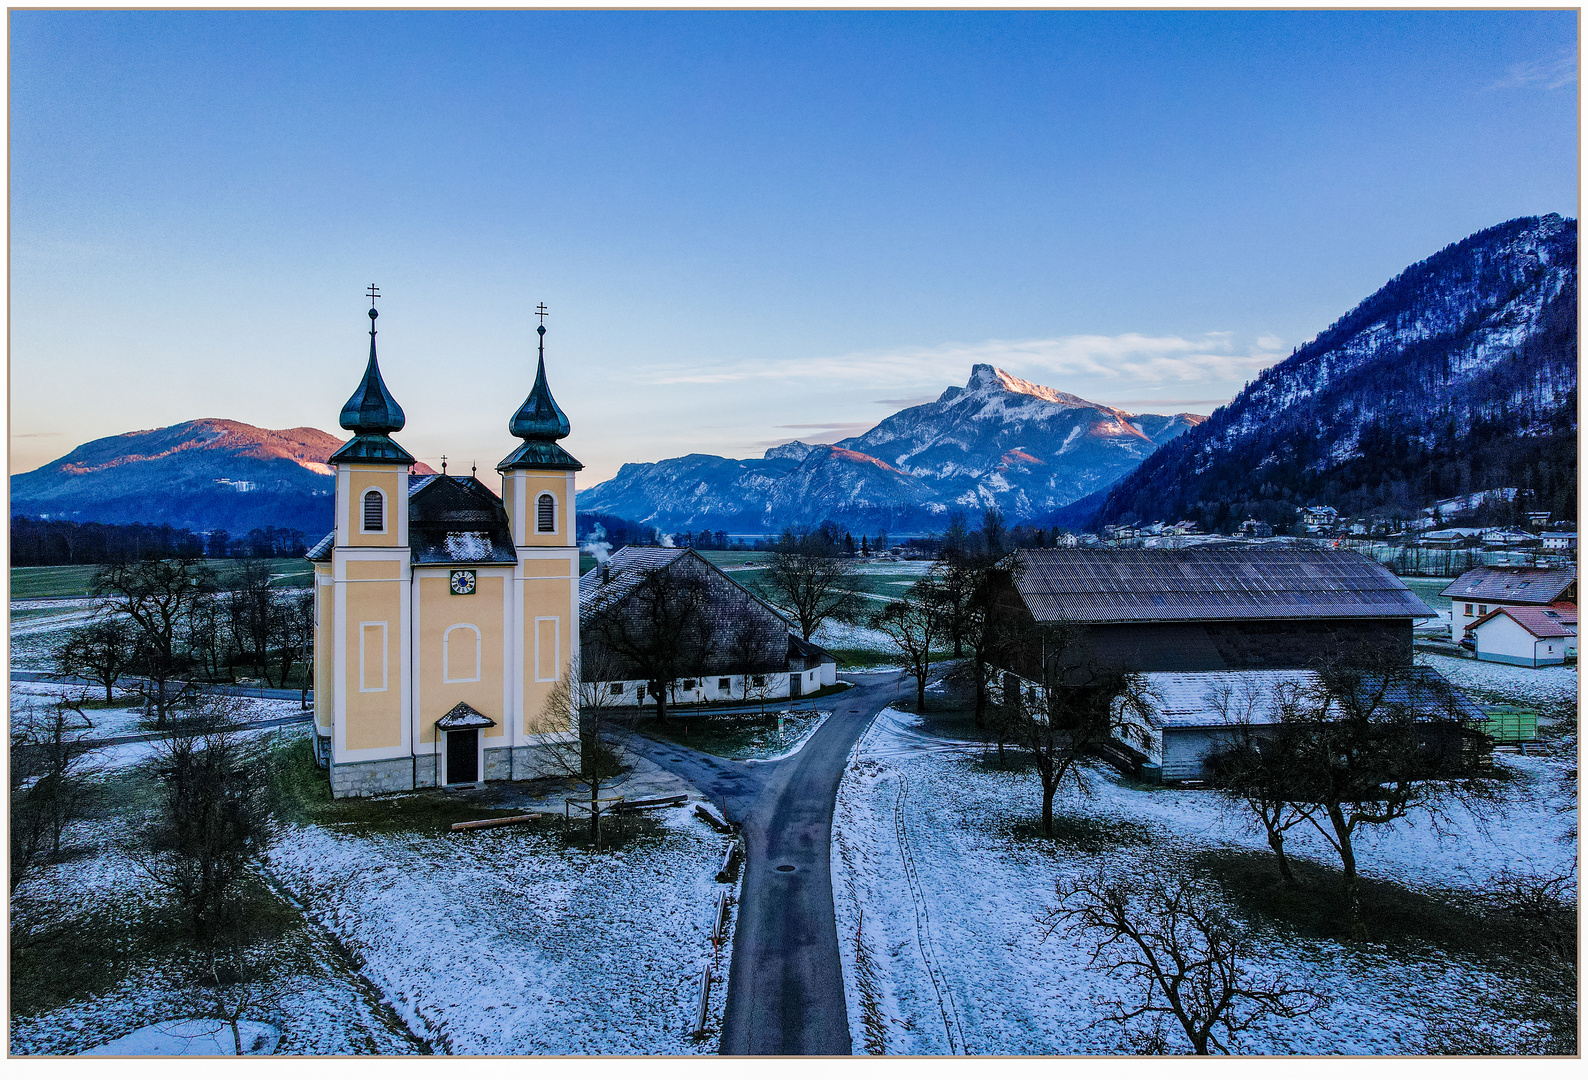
{"x": 169, "y": 476}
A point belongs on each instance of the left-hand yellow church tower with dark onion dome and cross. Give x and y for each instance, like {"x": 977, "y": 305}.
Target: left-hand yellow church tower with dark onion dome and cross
{"x": 363, "y": 687}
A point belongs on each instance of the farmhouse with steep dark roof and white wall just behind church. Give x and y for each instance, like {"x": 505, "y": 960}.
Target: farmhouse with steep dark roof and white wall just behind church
{"x": 666, "y": 622}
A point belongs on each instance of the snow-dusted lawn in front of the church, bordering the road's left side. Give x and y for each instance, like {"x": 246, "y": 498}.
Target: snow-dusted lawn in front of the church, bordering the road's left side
{"x": 511, "y": 943}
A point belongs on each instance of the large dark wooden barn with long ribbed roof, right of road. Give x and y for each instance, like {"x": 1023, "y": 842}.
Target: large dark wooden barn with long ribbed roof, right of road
{"x": 1216, "y": 607}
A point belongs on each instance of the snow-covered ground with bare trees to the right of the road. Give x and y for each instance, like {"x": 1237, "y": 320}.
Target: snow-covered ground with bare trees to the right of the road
{"x": 939, "y": 855}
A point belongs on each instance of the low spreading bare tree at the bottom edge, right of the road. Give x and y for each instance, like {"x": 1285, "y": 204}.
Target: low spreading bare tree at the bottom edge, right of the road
{"x": 1182, "y": 955}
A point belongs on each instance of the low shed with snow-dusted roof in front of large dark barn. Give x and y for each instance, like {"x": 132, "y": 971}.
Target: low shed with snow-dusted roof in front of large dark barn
{"x": 1195, "y": 715}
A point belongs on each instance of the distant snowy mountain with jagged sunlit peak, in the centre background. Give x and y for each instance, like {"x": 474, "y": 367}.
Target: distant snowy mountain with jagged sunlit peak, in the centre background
{"x": 995, "y": 442}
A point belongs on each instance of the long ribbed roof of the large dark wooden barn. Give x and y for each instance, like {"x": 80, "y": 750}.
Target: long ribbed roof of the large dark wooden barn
{"x": 1209, "y": 584}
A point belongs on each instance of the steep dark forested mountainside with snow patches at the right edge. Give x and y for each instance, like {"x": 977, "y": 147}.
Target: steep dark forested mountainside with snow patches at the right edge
{"x": 1459, "y": 376}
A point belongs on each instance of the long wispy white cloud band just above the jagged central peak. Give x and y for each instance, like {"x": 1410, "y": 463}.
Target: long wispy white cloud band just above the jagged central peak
{"x": 1128, "y": 360}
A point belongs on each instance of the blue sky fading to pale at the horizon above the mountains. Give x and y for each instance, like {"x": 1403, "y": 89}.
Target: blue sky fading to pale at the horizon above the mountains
{"x": 749, "y": 226}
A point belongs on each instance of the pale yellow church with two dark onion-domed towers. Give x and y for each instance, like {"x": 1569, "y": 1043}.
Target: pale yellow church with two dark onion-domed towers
{"x": 444, "y": 614}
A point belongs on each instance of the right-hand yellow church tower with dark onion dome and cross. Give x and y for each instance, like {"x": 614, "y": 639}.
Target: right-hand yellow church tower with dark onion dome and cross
{"x": 538, "y": 493}
